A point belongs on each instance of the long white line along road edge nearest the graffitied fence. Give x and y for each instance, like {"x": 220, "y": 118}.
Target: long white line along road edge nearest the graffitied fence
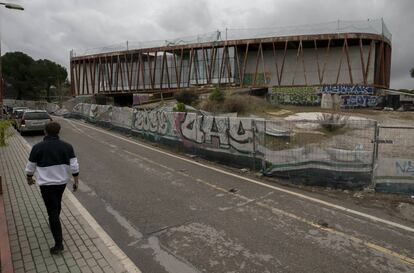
{"x": 325, "y": 203}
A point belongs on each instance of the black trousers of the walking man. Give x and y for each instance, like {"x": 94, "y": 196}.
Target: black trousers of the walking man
{"x": 52, "y": 196}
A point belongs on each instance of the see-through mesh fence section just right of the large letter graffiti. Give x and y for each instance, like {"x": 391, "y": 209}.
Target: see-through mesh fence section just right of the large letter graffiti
{"x": 320, "y": 152}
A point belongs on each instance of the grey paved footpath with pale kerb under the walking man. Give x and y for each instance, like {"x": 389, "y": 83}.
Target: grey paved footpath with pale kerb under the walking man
{"x": 87, "y": 247}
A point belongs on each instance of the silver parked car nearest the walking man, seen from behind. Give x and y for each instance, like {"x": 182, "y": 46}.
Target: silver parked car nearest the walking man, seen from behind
{"x": 33, "y": 120}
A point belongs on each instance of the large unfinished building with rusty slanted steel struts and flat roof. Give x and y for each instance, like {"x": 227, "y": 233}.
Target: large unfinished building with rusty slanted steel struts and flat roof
{"x": 297, "y": 64}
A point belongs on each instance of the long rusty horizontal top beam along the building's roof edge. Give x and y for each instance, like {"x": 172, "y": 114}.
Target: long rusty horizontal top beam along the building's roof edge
{"x": 268, "y": 40}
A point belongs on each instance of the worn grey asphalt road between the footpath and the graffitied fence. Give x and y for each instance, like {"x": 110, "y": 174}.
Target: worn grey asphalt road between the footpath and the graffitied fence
{"x": 176, "y": 215}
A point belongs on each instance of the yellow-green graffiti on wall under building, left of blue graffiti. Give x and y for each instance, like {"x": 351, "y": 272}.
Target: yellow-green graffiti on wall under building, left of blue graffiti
{"x": 303, "y": 96}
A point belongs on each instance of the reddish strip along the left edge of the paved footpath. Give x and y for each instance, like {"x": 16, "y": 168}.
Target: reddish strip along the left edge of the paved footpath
{"x": 6, "y": 264}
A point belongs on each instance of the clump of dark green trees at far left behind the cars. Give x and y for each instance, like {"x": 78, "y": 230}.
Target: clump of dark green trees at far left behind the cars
{"x": 29, "y": 78}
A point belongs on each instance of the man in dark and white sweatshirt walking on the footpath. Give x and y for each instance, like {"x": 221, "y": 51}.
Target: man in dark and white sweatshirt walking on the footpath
{"x": 55, "y": 161}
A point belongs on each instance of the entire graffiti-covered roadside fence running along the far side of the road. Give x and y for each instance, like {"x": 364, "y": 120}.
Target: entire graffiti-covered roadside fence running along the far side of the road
{"x": 337, "y": 152}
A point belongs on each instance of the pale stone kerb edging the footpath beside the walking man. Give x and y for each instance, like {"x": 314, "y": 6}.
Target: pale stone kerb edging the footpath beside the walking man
{"x": 107, "y": 240}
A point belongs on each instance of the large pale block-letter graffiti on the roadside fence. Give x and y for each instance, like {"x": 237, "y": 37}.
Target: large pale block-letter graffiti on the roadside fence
{"x": 191, "y": 129}
